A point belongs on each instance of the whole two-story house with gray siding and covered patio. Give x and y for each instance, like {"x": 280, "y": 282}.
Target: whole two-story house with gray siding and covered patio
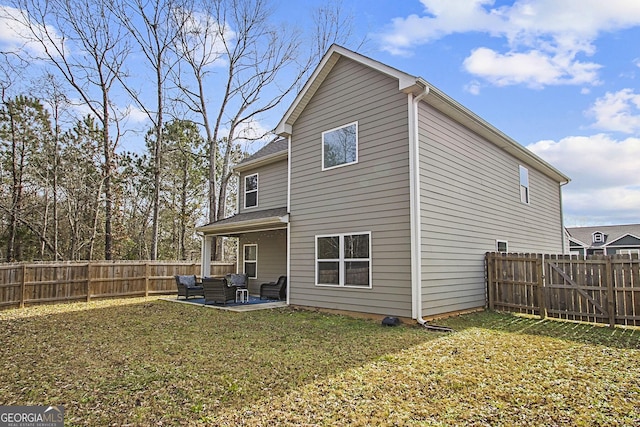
{"x": 384, "y": 194}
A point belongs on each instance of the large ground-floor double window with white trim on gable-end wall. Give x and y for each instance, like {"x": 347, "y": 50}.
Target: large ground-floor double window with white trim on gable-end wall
{"x": 344, "y": 260}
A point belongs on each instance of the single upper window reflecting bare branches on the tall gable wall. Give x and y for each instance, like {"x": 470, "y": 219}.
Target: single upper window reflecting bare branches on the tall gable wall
{"x": 340, "y": 146}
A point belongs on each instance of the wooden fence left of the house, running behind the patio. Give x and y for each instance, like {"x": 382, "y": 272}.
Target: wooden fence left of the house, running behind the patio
{"x": 22, "y": 284}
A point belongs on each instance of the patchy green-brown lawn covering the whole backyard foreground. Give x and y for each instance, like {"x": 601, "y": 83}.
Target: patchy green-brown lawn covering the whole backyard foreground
{"x": 151, "y": 362}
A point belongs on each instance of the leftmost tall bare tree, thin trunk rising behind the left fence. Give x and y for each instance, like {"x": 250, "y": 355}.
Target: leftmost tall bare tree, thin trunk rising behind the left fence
{"x": 84, "y": 44}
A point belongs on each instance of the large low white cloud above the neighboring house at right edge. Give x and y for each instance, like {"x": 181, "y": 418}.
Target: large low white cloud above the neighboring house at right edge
{"x": 605, "y": 184}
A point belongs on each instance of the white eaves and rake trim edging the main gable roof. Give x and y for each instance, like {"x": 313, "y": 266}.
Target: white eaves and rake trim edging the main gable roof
{"x": 416, "y": 85}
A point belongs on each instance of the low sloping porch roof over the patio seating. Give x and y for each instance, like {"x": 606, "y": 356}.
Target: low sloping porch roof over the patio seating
{"x": 249, "y": 221}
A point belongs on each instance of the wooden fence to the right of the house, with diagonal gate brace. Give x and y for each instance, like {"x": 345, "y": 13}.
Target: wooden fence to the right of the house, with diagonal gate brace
{"x": 599, "y": 289}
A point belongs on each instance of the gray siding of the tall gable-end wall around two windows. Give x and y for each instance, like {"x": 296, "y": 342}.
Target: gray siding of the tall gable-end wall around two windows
{"x": 370, "y": 196}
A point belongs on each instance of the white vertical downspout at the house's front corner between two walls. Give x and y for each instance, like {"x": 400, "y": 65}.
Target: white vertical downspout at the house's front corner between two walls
{"x": 414, "y": 196}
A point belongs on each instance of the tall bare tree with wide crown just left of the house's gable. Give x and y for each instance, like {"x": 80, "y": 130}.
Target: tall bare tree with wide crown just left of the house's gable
{"x": 258, "y": 63}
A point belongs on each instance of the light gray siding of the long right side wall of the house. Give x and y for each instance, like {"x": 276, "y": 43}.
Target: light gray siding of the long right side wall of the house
{"x": 470, "y": 196}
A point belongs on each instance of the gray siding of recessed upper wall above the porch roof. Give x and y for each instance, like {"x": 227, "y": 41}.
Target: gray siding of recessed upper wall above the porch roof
{"x": 272, "y": 186}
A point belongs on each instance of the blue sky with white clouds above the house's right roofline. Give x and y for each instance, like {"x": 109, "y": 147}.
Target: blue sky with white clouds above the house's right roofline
{"x": 559, "y": 76}
